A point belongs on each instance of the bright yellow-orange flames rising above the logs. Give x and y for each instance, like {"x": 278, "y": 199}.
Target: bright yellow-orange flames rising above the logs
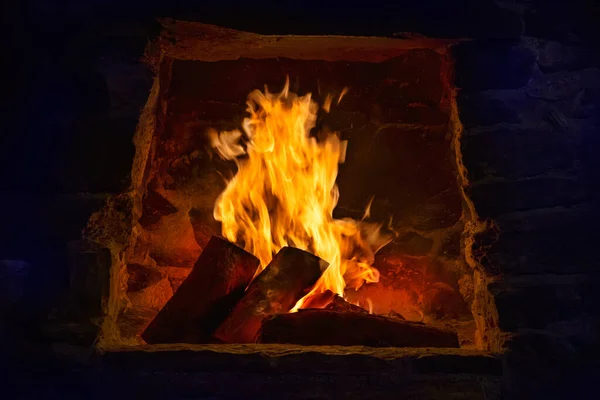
{"x": 284, "y": 191}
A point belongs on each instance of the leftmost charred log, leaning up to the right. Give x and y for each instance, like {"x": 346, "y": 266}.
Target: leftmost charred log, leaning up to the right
{"x": 202, "y": 302}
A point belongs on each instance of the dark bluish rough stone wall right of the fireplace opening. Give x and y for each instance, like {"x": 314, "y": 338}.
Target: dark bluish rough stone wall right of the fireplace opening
{"x": 530, "y": 148}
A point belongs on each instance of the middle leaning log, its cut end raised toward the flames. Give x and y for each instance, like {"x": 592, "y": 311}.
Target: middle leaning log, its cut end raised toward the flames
{"x": 289, "y": 276}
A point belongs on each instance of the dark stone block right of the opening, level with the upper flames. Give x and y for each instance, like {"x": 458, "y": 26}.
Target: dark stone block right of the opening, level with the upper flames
{"x": 516, "y": 152}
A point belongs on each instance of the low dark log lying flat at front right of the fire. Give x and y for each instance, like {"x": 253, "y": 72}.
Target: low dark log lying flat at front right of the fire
{"x": 326, "y": 327}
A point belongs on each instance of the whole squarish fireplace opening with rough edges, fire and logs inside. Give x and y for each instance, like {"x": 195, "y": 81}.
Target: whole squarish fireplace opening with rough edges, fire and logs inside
{"x": 385, "y": 108}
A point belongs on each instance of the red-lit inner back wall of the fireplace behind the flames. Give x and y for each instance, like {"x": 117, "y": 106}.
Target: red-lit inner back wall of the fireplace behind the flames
{"x": 396, "y": 119}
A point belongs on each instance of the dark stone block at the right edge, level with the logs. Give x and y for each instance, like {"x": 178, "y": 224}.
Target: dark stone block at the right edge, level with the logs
{"x": 536, "y": 301}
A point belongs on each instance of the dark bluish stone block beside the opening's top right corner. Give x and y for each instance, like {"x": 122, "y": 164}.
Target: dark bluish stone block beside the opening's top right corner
{"x": 483, "y": 65}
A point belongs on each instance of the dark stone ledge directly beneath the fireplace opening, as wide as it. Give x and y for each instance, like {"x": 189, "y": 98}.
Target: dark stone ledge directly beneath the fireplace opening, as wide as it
{"x": 266, "y": 372}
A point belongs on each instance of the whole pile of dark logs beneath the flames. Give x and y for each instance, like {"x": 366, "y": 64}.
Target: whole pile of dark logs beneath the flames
{"x": 222, "y": 301}
